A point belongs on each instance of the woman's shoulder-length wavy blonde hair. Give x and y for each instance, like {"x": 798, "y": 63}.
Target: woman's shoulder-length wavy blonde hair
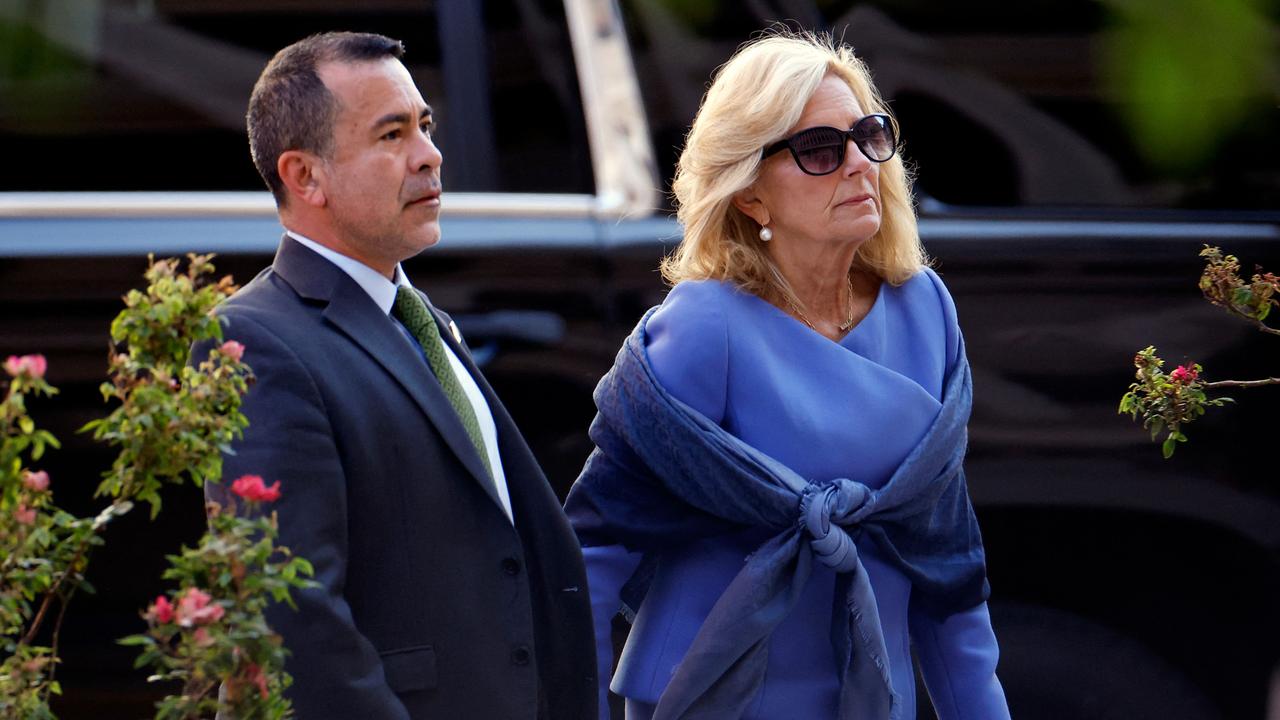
{"x": 756, "y": 98}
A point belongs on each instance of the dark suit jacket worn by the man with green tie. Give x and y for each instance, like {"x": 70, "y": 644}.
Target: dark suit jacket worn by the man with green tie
{"x": 433, "y": 605}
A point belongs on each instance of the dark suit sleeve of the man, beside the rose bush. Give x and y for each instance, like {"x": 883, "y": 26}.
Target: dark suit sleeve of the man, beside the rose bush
{"x": 337, "y": 672}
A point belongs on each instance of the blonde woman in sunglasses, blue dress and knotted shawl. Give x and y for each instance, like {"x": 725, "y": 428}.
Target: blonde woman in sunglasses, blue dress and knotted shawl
{"x": 778, "y": 486}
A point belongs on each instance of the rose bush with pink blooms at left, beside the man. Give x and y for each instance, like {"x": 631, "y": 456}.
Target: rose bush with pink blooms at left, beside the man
{"x": 173, "y": 418}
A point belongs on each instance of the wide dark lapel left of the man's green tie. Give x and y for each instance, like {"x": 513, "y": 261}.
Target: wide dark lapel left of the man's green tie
{"x": 353, "y": 312}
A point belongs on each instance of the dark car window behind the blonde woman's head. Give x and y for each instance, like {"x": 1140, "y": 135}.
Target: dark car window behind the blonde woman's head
{"x": 1000, "y": 104}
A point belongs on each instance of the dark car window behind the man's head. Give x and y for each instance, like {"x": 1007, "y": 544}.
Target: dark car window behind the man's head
{"x": 152, "y": 95}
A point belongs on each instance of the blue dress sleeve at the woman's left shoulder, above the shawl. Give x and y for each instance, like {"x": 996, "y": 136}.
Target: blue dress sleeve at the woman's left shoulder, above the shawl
{"x": 688, "y": 344}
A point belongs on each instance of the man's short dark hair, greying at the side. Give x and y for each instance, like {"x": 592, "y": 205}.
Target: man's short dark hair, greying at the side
{"x": 292, "y": 110}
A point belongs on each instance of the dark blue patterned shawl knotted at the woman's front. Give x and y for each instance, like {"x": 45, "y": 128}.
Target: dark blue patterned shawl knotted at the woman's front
{"x": 664, "y": 475}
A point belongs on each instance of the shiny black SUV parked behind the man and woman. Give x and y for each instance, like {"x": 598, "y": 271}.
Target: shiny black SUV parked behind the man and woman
{"x": 1124, "y": 586}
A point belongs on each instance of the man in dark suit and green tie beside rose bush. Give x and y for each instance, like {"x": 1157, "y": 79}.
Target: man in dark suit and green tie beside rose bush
{"x": 452, "y": 586}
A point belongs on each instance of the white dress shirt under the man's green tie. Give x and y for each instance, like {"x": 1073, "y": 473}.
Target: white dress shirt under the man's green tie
{"x": 383, "y": 293}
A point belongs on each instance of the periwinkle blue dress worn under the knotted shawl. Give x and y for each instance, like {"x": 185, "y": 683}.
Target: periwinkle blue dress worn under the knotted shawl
{"x": 851, "y": 409}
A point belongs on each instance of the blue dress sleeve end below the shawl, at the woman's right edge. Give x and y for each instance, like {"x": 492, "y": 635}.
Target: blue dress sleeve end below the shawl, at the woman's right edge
{"x": 958, "y": 658}
